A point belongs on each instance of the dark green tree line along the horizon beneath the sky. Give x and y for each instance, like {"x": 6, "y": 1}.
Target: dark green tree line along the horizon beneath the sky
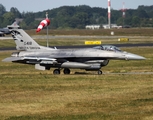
{"x": 77, "y": 17}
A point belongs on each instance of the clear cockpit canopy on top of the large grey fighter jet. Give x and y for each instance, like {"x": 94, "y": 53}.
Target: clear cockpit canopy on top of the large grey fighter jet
{"x": 108, "y": 48}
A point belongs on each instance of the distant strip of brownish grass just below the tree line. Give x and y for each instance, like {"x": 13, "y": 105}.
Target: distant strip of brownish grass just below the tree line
{"x": 100, "y": 32}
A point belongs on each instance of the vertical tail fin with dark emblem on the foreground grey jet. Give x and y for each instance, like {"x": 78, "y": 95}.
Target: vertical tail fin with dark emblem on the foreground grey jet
{"x": 22, "y": 39}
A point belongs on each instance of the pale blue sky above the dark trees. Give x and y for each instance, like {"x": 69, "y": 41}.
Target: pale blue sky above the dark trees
{"x": 41, "y": 5}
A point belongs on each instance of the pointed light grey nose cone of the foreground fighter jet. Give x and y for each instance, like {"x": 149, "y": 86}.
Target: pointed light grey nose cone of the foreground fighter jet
{"x": 130, "y": 56}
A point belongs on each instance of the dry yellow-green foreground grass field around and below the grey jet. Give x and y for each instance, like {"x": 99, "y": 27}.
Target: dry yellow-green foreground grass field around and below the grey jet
{"x": 29, "y": 94}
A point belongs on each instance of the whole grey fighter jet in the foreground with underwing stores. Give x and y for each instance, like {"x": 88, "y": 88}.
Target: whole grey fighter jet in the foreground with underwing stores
{"x": 45, "y": 58}
